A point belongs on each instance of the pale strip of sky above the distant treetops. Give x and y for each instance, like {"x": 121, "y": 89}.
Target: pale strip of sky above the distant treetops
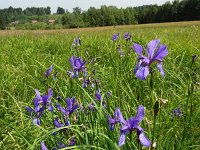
{"x": 70, "y": 4}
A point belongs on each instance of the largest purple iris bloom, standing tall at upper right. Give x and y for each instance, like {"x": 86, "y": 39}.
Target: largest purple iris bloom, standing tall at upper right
{"x": 143, "y": 67}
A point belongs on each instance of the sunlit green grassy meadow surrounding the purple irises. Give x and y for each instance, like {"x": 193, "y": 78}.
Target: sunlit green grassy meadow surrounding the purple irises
{"x": 26, "y": 55}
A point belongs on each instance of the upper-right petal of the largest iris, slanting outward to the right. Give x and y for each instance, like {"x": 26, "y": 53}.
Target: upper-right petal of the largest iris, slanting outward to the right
{"x": 161, "y": 53}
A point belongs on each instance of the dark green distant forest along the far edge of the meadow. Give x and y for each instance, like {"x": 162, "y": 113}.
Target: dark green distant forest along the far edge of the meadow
{"x": 42, "y": 18}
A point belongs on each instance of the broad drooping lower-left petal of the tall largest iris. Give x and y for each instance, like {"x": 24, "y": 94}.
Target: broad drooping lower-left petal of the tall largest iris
{"x": 142, "y": 72}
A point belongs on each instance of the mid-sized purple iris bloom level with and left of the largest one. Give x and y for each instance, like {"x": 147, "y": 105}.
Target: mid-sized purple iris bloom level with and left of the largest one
{"x": 77, "y": 64}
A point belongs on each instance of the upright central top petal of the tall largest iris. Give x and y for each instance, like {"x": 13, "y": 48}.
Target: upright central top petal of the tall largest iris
{"x": 151, "y": 47}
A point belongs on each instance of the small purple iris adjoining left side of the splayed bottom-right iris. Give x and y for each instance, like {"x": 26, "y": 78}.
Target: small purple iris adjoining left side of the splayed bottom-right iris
{"x": 116, "y": 119}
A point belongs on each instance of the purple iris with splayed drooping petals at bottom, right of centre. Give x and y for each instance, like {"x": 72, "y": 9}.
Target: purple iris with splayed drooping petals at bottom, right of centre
{"x": 133, "y": 124}
